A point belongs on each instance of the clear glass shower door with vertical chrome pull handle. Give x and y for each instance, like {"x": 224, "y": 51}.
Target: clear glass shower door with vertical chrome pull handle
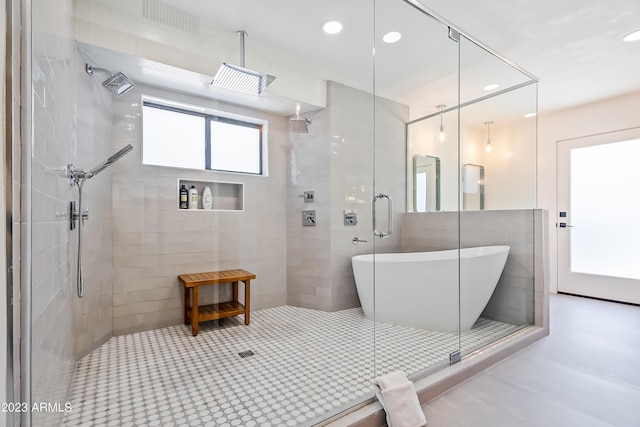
{"x": 416, "y": 307}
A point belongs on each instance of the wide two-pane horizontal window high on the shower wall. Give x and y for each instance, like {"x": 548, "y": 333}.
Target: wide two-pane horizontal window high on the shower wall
{"x": 192, "y": 139}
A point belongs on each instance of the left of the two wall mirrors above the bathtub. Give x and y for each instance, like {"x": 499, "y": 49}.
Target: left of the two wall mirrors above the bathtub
{"x": 426, "y": 183}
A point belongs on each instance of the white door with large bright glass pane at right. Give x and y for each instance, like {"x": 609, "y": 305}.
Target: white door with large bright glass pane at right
{"x": 598, "y": 222}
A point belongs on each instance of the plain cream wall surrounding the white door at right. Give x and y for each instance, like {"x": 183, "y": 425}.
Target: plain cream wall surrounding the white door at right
{"x": 599, "y": 117}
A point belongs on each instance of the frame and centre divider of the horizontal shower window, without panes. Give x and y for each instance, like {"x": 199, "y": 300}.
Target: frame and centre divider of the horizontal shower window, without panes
{"x": 208, "y": 118}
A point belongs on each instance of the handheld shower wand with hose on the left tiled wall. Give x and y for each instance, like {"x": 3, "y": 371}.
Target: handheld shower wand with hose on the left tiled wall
{"x": 78, "y": 177}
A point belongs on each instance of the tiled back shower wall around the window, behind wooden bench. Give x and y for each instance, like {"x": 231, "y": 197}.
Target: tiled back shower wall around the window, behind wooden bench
{"x": 154, "y": 241}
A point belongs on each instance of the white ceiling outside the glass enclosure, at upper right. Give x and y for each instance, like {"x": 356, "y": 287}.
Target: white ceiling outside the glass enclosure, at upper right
{"x": 574, "y": 47}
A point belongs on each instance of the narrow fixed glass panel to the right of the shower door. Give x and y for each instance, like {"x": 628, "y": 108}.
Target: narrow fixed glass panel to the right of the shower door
{"x": 498, "y": 168}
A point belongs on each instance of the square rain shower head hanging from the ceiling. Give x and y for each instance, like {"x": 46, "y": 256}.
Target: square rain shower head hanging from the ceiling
{"x": 239, "y": 78}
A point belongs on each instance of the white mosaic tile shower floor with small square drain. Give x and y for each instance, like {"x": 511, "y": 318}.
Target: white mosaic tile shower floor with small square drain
{"x": 305, "y": 365}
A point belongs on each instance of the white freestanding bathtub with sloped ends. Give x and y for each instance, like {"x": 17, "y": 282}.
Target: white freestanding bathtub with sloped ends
{"x": 420, "y": 289}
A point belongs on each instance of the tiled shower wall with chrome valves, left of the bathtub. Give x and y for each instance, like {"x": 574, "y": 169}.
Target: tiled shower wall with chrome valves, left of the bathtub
{"x": 336, "y": 160}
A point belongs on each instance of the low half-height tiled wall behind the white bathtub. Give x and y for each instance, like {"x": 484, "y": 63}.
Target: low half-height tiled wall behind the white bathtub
{"x": 522, "y": 282}
